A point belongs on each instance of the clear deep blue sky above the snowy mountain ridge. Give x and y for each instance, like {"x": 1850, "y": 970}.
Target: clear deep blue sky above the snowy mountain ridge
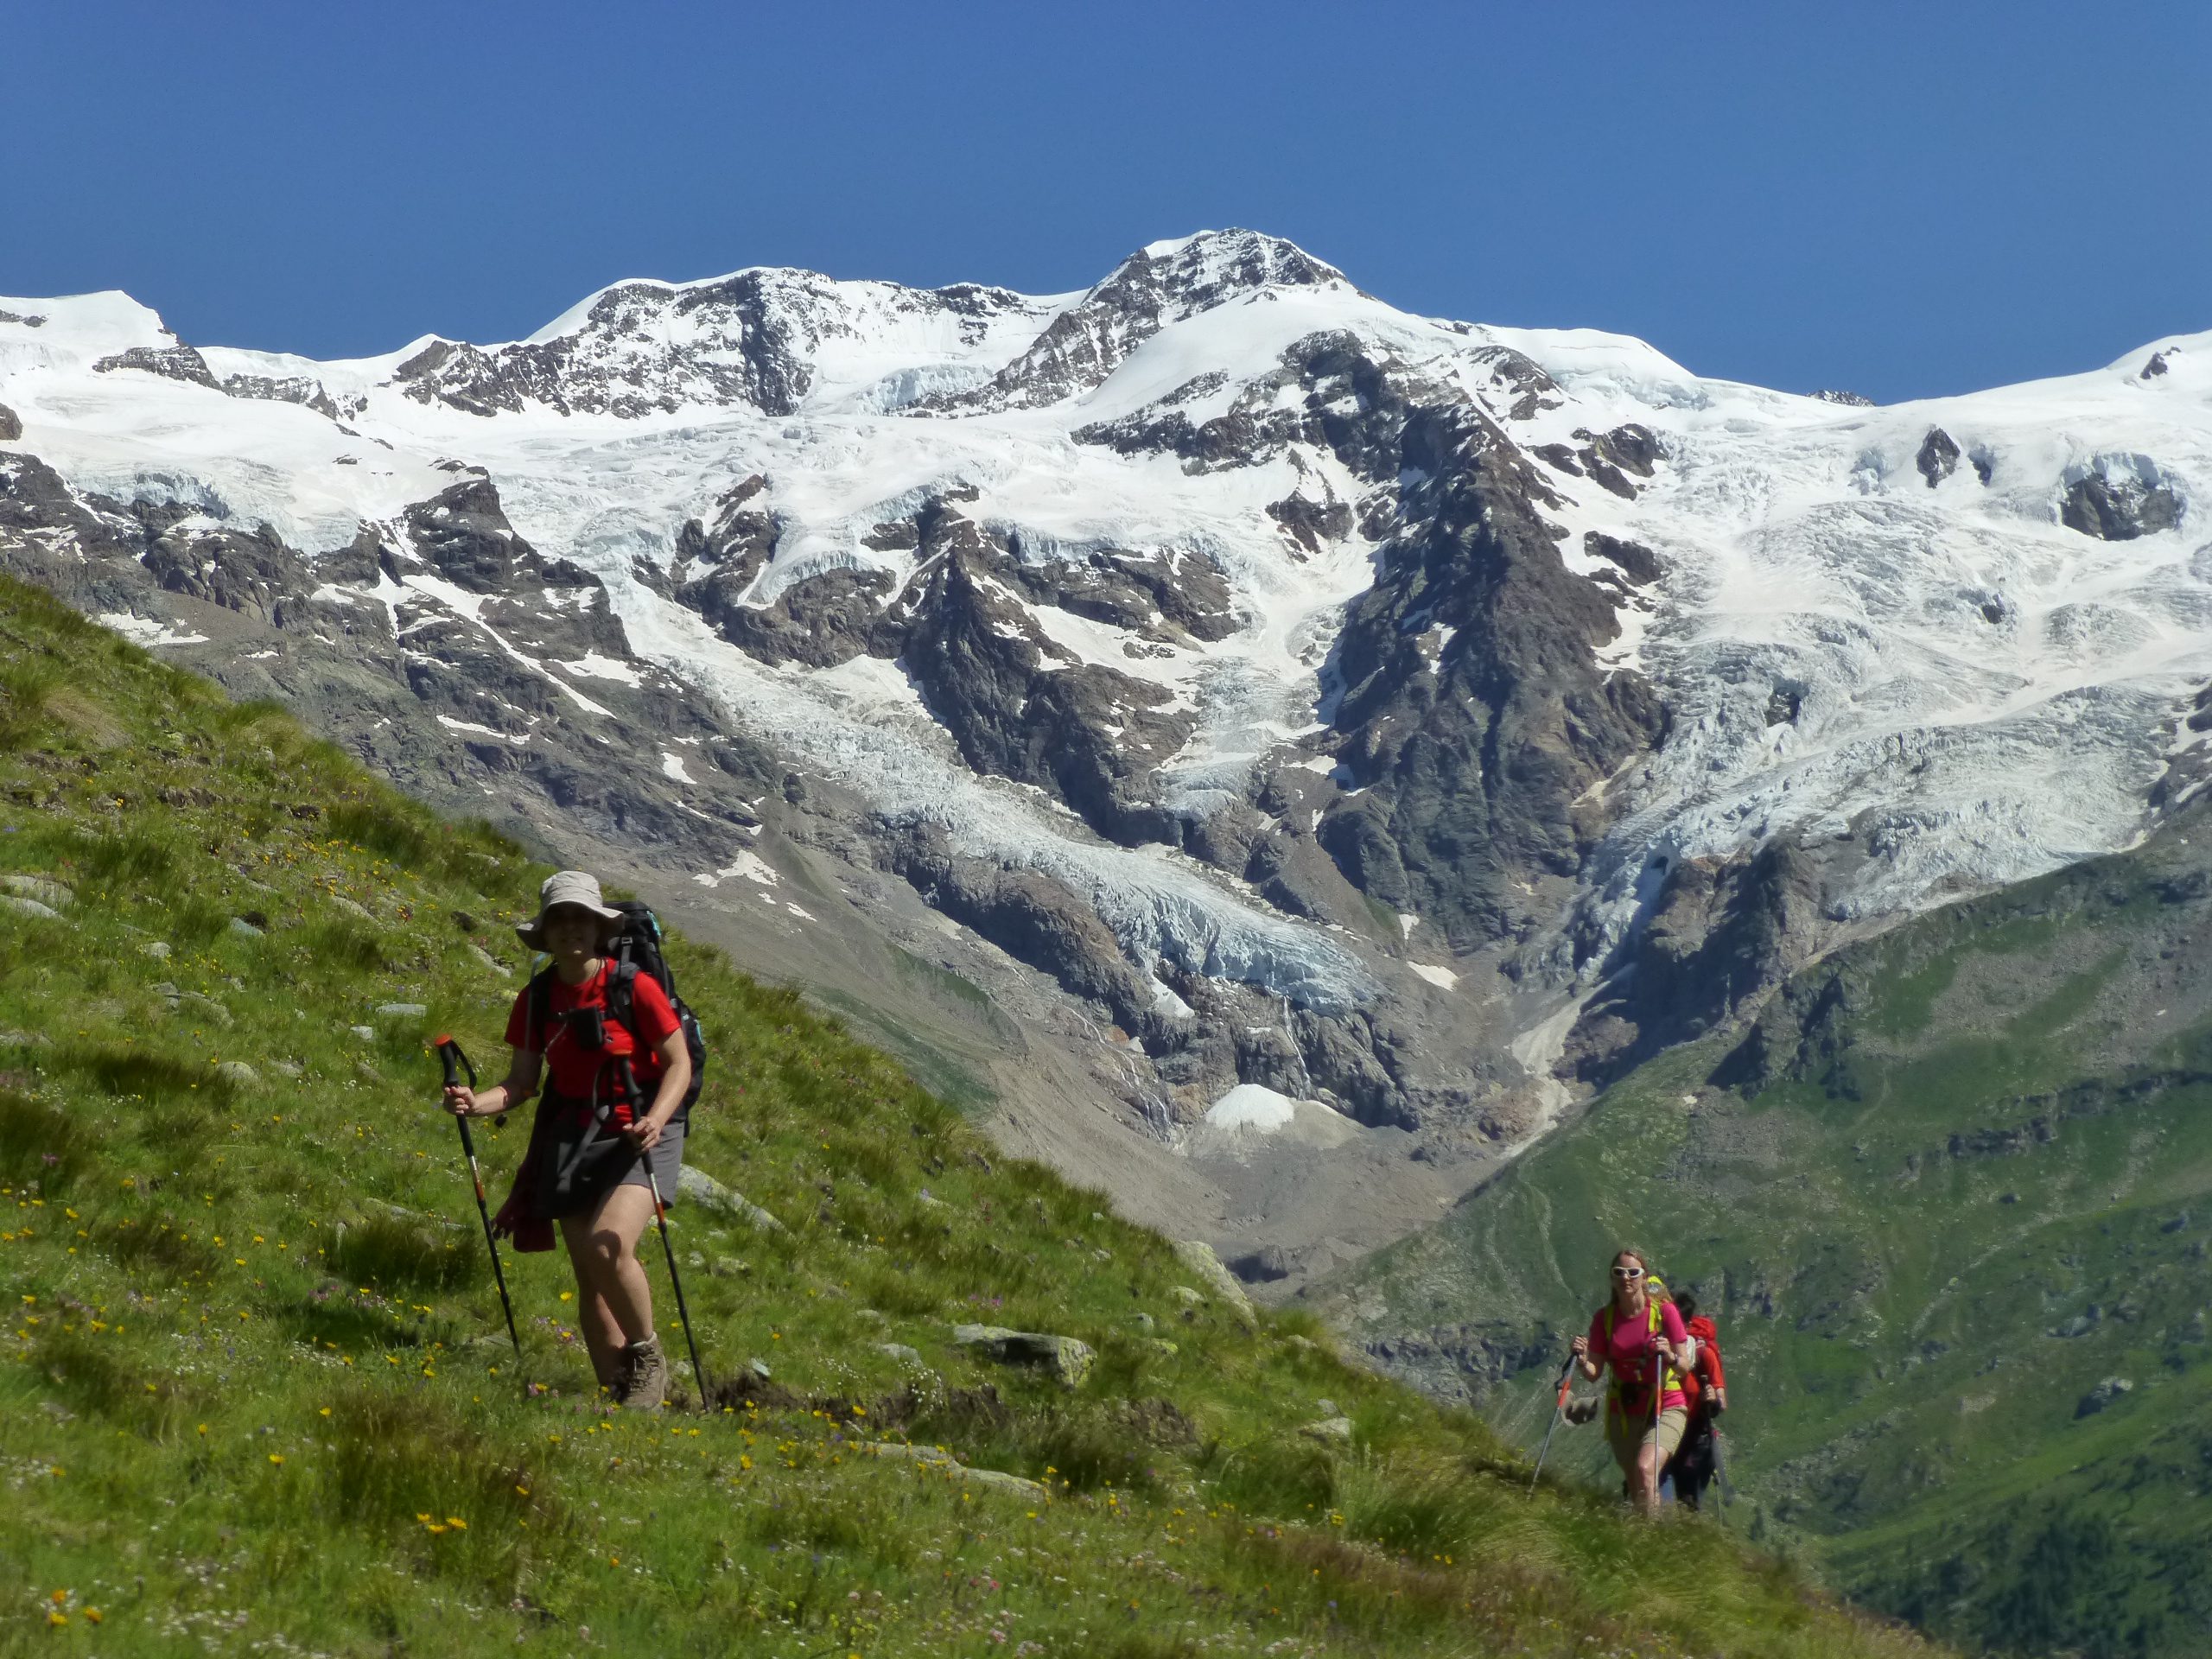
{"x": 1903, "y": 200}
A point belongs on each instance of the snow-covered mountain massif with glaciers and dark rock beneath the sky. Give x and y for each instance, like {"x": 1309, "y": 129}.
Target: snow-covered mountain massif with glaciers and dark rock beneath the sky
{"x": 1295, "y": 693}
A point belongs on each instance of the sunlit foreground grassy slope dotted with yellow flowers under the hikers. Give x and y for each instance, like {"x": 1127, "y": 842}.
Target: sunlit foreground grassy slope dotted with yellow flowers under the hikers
{"x": 253, "y": 1386}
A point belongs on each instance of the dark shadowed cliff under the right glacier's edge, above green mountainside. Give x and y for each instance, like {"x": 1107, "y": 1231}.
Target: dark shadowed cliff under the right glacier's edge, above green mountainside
{"x": 1720, "y": 937}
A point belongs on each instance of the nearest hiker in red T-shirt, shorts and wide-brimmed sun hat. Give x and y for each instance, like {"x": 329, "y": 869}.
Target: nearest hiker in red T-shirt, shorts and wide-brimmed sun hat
{"x": 587, "y": 1023}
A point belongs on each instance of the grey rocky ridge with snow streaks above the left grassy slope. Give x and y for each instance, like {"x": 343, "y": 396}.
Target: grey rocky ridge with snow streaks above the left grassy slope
{"x": 342, "y": 662}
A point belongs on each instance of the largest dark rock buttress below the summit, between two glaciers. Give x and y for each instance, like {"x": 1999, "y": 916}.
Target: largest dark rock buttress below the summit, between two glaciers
{"x": 1470, "y": 762}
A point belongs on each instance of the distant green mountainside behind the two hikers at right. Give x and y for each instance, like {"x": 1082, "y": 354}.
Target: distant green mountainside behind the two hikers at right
{"x": 1948, "y": 1200}
